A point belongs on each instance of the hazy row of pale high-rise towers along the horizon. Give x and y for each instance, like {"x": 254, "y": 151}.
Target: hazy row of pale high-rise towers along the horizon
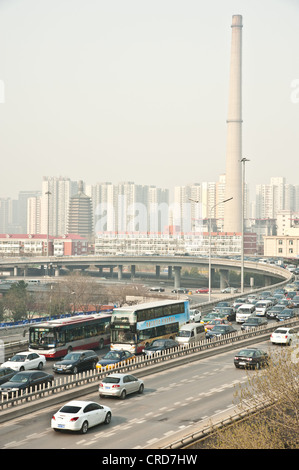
{"x": 127, "y": 206}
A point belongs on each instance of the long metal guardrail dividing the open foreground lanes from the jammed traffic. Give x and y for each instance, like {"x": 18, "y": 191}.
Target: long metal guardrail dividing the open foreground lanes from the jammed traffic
{"x": 142, "y": 364}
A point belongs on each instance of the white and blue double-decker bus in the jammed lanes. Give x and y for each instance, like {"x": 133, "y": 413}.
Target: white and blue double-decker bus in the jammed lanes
{"x": 134, "y": 327}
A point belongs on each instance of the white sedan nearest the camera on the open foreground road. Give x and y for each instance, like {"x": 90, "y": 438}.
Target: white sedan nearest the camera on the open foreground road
{"x": 79, "y": 415}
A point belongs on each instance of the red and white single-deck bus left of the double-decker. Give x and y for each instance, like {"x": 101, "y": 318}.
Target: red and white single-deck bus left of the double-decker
{"x": 56, "y": 338}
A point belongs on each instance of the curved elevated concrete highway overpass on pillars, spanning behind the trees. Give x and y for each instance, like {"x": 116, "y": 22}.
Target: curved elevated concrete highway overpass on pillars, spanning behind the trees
{"x": 174, "y": 264}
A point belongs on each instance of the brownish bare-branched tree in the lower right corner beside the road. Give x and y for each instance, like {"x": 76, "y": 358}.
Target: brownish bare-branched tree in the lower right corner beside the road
{"x": 277, "y": 425}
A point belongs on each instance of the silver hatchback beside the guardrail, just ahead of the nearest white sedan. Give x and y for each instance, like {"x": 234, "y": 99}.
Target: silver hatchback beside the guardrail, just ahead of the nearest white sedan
{"x": 120, "y": 385}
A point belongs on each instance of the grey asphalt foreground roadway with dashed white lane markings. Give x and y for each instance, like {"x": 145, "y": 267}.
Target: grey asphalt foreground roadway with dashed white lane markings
{"x": 173, "y": 400}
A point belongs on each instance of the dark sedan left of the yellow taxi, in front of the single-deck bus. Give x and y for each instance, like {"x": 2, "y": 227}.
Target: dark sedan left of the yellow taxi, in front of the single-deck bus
{"x": 76, "y": 361}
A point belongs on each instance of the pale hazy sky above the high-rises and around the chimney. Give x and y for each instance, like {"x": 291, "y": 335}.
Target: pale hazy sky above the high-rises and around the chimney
{"x": 137, "y": 90}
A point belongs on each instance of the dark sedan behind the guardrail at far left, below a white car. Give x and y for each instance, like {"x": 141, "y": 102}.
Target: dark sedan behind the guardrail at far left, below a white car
{"x": 26, "y": 381}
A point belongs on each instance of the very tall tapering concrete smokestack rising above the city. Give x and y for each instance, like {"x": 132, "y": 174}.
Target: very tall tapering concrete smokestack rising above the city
{"x": 233, "y": 178}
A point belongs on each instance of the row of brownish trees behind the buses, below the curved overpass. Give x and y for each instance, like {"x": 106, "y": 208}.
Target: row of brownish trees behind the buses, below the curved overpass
{"x": 74, "y": 292}
